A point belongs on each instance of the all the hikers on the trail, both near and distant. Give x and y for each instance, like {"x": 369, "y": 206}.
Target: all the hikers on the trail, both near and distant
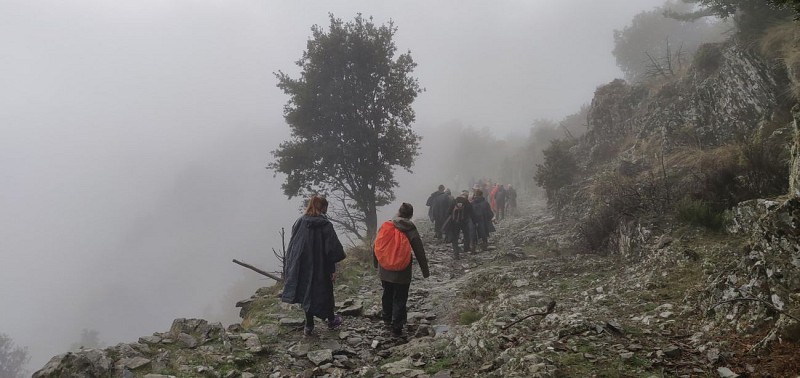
{"x": 309, "y": 266}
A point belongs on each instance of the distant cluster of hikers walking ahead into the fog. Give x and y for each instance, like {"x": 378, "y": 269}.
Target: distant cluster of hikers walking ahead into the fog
{"x": 469, "y": 217}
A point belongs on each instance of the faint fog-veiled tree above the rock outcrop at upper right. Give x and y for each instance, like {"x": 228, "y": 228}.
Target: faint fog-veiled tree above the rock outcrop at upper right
{"x": 651, "y": 34}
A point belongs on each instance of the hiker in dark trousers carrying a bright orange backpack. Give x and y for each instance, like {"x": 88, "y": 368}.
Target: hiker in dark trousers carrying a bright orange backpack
{"x": 397, "y": 282}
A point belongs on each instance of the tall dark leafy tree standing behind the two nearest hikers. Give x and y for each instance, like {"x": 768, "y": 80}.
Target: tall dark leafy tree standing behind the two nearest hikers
{"x": 350, "y": 114}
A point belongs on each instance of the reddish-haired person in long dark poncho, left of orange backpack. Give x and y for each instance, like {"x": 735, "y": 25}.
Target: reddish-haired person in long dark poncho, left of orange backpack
{"x": 310, "y": 265}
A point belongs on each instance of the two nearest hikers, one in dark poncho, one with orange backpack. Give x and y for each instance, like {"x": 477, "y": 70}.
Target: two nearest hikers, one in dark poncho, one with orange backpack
{"x": 309, "y": 269}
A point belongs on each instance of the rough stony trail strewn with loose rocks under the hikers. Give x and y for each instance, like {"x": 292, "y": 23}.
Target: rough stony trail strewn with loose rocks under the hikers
{"x": 466, "y": 319}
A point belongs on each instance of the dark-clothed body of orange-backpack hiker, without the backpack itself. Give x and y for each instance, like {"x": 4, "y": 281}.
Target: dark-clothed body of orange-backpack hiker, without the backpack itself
{"x": 397, "y": 283}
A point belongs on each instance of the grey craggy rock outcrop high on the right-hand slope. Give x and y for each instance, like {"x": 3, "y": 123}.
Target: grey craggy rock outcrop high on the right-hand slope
{"x": 717, "y": 102}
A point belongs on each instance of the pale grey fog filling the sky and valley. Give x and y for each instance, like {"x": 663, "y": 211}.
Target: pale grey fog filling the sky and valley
{"x": 134, "y": 137}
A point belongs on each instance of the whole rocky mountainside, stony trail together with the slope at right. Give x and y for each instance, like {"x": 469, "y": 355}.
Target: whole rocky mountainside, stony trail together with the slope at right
{"x": 638, "y": 292}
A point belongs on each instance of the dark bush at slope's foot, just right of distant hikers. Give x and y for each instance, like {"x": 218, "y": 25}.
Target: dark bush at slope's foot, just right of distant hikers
{"x": 558, "y": 169}
